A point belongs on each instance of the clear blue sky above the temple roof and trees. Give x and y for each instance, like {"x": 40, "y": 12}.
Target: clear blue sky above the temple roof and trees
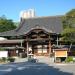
{"x": 12, "y": 8}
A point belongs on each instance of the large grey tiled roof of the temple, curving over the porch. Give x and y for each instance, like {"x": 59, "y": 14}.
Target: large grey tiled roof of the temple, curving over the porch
{"x": 50, "y": 24}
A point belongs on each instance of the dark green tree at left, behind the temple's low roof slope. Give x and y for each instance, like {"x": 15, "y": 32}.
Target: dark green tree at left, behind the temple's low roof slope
{"x": 6, "y": 24}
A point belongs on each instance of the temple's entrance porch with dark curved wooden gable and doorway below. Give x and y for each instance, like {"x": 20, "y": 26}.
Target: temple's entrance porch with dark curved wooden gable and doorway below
{"x": 38, "y": 42}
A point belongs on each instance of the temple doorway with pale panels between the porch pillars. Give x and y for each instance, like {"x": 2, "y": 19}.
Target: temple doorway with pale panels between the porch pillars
{"x": 38, "y": 49}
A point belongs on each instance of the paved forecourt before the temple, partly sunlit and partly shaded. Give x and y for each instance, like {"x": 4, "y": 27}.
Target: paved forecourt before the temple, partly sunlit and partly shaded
{"x": 43, "y": 67}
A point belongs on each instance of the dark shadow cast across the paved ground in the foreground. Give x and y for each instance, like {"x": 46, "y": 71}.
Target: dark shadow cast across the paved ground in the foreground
{"x": 26, "y": 68}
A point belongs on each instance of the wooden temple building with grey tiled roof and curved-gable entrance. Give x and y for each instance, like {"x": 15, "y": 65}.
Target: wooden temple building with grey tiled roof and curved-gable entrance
{"x": 37, "y": 35}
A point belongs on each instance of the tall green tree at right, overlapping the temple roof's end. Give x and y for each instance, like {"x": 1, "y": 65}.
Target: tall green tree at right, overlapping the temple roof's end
{"x": 69, "y": 27}
